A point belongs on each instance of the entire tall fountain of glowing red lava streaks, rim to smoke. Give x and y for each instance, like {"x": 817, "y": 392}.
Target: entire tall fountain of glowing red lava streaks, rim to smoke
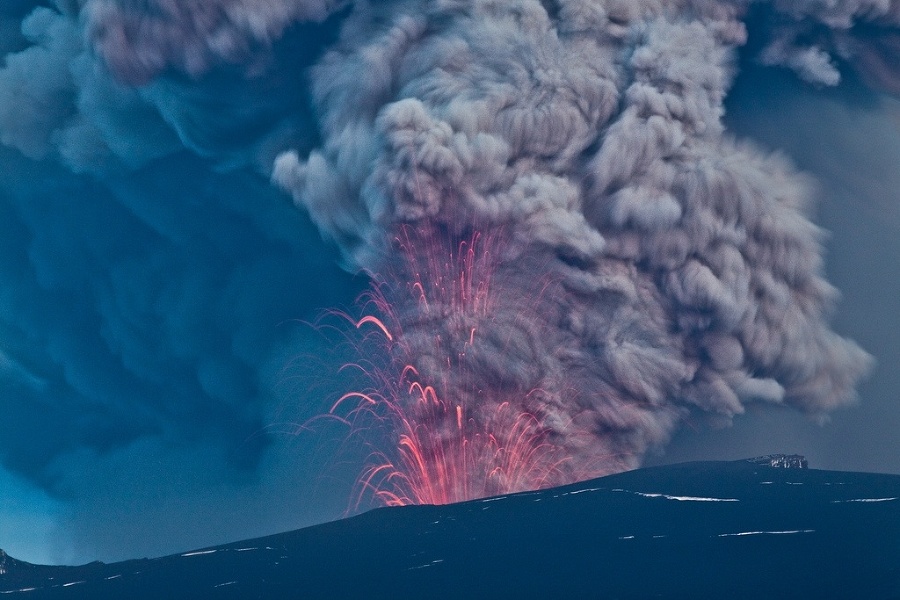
{"x": 438, "y": 431}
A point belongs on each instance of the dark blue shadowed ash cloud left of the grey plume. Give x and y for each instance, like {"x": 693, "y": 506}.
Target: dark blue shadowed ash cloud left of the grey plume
{"x": 149, "y": 271}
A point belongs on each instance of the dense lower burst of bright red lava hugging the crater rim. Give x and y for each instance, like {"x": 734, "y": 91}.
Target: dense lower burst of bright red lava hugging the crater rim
{"x": 443, "y": 455}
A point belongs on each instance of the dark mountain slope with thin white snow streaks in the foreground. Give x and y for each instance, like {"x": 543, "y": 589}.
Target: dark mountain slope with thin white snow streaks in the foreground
{"x": 696, "y": 530}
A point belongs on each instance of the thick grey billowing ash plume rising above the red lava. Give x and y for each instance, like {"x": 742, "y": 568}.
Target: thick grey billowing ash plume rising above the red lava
{"x": 643, "y": 265}
